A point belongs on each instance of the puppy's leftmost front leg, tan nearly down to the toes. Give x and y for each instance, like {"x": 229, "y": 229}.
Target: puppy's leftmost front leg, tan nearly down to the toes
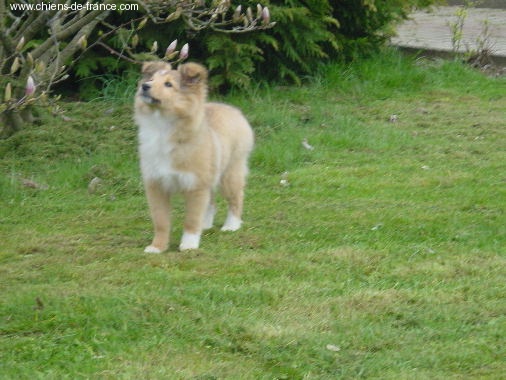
{"x": 159, "y": 206}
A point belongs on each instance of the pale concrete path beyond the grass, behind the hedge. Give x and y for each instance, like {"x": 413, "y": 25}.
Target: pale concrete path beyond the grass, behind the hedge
{"x": 430, "y": 31}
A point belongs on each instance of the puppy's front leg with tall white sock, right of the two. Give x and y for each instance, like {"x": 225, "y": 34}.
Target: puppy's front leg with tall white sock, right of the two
{"x": 196, "y": 204}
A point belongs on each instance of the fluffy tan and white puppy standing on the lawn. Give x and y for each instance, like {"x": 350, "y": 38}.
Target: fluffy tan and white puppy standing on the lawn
{"x": 190, "y": 146}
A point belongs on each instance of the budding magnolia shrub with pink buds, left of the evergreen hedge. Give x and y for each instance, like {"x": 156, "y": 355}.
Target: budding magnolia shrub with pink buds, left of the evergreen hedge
{"x": 39, "y": 44}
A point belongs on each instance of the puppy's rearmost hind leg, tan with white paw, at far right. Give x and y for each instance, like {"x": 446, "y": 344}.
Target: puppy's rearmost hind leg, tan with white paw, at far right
{"x": 232, "y": 188}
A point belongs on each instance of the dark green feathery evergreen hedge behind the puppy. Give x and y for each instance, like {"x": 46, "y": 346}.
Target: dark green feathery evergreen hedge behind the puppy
{"x": 308, "y": 33}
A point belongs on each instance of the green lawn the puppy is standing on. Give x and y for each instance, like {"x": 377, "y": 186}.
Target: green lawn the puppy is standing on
{"x": 383, "y": 258}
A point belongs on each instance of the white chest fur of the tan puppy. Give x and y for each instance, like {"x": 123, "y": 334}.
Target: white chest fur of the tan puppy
{"x": 155, "y": 149}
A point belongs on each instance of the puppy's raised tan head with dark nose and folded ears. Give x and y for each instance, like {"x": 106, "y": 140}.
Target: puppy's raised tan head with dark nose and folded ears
{"x": 172, "y": 91}
